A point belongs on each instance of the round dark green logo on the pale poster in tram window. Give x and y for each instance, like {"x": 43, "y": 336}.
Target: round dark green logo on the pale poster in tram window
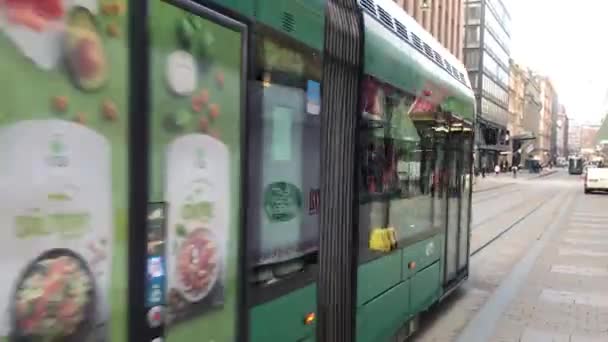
{"x": 282, "y": 201}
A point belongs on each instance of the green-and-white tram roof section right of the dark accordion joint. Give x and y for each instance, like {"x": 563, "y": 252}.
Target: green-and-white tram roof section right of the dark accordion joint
{"x": 399, "y": 51}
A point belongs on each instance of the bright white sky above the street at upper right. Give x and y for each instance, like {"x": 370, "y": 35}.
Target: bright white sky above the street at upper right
{"x": 566, "y": 40}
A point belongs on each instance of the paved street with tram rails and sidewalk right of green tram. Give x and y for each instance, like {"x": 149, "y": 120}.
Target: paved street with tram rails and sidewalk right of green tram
{"x": 537, "y": 271}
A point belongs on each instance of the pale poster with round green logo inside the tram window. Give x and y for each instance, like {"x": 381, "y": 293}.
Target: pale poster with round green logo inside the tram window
{"x": 287, "y": 203}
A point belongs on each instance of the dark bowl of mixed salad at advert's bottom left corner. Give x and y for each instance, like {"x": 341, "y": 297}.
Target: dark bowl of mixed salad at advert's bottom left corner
{"x": 54, "y": 299}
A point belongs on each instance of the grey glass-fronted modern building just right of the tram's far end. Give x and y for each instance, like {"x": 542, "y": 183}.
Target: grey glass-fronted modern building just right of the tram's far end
{"x": 487, "y": 57}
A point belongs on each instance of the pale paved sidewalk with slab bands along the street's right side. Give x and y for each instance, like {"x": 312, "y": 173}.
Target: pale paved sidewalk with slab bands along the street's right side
{"x": 564, "y": 297}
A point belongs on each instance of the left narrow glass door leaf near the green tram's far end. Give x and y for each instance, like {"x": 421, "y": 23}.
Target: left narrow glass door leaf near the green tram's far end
{"x": 454, "y": 170}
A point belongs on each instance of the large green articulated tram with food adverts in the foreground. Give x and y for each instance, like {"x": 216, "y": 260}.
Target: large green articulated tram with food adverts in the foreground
{"x": 174, "y": 171}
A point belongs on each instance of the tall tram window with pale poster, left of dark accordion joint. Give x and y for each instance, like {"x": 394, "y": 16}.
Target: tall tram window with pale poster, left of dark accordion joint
{"x": 284, "y": 157}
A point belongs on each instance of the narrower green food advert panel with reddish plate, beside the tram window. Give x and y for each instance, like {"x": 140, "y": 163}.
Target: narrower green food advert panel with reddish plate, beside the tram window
{"x": 196, "y": 100}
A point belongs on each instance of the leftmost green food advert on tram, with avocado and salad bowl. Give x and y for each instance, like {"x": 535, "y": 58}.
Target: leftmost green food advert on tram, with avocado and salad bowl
{"x": 63, "y": 174}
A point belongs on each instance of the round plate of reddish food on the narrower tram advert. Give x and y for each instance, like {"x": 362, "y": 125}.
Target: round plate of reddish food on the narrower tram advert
{"x": 197, "y": 263}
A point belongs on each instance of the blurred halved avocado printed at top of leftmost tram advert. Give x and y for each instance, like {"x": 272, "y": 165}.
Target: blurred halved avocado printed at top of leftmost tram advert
{"x": 85, "y": 53}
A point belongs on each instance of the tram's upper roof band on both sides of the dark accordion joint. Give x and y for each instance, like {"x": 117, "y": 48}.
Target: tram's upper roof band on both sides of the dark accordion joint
{"x": 398, "y": 50}
